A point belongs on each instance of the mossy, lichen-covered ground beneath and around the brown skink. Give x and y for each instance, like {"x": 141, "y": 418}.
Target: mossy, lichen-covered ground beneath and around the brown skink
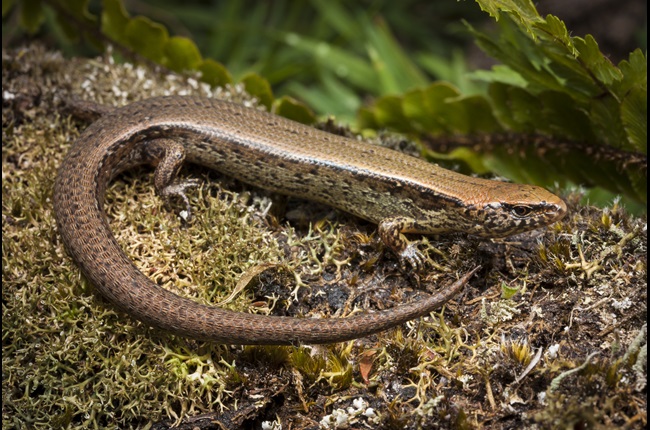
{"x": 540, "y": 307}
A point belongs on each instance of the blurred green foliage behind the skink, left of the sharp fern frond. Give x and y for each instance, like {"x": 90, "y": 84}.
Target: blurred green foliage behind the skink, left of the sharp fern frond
{"x": 330, "y": 54}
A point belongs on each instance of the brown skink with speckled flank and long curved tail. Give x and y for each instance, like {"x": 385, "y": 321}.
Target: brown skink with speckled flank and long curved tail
{"x": 398, "y": 192}
